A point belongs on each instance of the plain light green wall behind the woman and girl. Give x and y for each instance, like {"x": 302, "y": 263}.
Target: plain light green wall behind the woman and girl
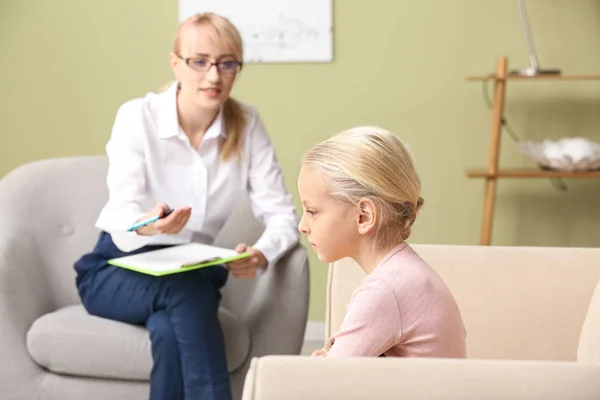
{"x": 66, "y": 65}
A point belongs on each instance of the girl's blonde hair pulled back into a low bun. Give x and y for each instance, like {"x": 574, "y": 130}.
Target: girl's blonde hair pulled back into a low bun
{"x": 371, "y": 162}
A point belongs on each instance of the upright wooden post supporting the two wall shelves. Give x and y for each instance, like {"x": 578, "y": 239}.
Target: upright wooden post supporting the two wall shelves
{"x": 494, "y": 151}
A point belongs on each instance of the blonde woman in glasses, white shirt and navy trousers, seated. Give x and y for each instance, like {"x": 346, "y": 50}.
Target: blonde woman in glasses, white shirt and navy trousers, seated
{"x": 195, "y": 150}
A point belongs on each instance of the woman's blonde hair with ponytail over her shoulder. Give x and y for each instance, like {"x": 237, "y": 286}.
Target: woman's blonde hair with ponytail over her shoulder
{"x": 234, "y": 117}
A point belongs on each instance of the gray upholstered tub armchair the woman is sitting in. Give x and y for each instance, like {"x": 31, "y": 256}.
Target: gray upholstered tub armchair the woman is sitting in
{"x": 50, "y": 348}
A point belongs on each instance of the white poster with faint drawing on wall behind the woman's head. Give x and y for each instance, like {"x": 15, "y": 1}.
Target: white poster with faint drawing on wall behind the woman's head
{"x": 275, "y": 30}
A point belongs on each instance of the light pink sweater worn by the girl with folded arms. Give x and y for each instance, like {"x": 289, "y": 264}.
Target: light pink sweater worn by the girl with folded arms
{"x": 402, "y": 309}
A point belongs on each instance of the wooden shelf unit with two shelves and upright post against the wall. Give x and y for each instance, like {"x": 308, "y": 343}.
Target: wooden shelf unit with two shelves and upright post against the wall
{"x": 492, "y": 173}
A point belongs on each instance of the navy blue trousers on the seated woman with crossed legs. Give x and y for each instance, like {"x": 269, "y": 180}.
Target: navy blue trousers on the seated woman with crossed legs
{"x": 179, "y": 311}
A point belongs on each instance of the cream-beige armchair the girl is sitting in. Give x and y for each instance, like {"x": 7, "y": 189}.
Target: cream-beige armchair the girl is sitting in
{"x": 533, "y": 332}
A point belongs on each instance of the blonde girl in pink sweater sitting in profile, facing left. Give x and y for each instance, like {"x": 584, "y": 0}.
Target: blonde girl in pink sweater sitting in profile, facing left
{"x": 361, "y": 195}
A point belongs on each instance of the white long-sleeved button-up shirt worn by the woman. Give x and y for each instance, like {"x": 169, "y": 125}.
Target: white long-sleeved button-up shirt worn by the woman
{"x": 151, "y": 161}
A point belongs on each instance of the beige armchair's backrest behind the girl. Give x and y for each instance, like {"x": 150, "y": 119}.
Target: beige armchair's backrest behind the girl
{"x": 516, "y": 302}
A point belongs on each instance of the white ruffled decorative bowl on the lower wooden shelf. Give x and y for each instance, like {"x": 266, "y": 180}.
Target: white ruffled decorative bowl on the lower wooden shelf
{"x": 567, "y": 154}
